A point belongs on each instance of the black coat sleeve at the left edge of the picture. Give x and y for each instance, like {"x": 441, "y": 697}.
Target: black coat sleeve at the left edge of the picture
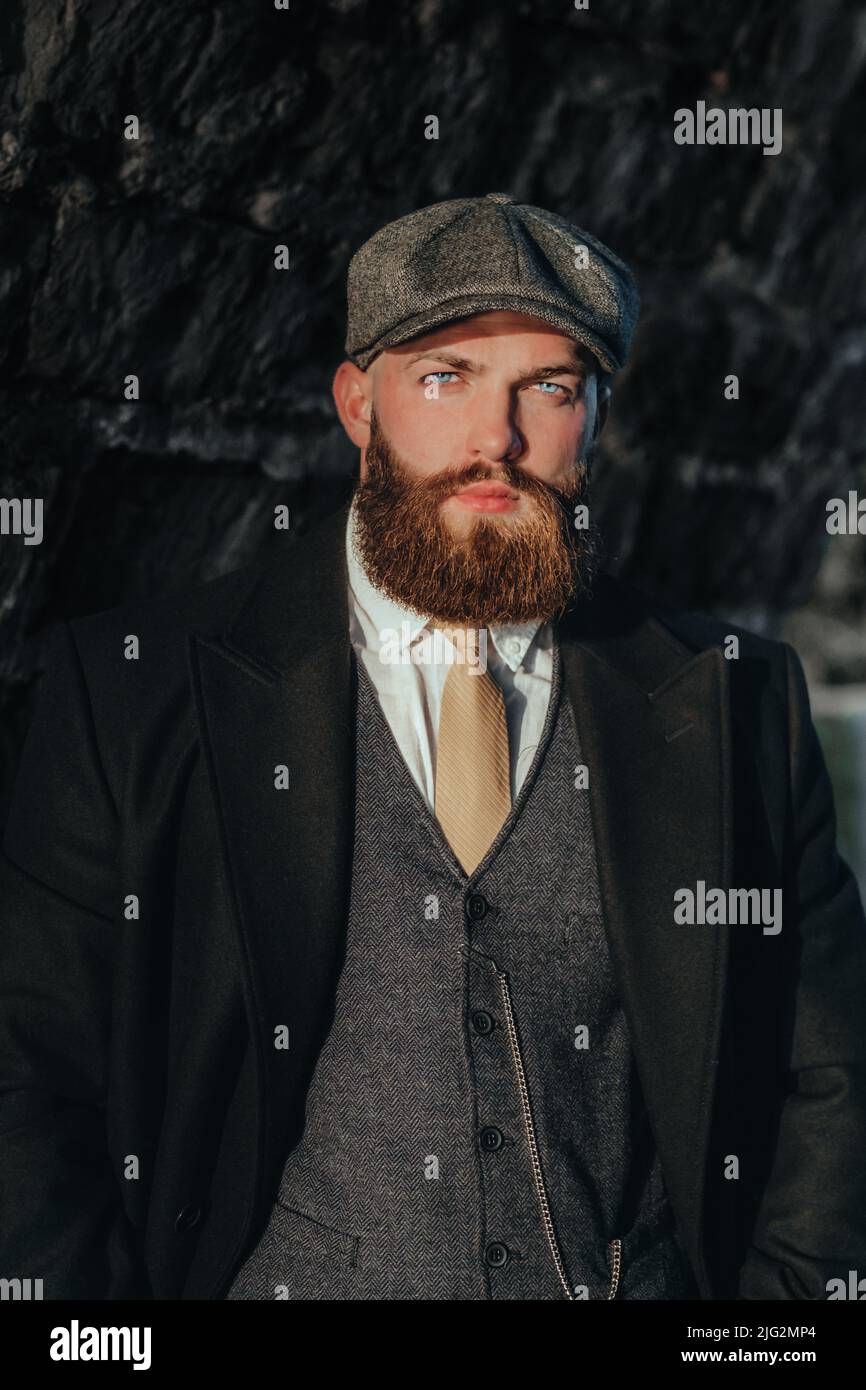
{"x": 62, "y": 1217}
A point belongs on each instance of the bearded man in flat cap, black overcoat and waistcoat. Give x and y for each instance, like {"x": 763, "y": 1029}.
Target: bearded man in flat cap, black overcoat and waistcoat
{"x": 343, "y": 946}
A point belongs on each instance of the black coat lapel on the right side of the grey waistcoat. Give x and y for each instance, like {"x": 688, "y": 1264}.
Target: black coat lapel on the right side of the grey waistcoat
{"x": 655, "y": 730}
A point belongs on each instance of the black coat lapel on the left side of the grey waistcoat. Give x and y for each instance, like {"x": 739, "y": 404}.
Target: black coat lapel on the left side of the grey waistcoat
{"x": 279, "y": 690}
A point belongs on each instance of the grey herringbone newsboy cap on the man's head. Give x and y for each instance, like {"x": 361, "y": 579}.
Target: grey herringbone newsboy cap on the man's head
{"x": 472, "y": 255}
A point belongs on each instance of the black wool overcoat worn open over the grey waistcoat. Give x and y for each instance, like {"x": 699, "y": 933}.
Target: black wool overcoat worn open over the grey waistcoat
{"x": 168, "y": 910}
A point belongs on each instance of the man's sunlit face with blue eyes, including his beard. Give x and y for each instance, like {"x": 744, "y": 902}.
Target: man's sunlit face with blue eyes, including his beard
{"x": 476, "y": 445}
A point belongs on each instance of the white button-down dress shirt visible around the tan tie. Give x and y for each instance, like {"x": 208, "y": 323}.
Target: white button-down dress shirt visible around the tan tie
{"x": 519, "y": 658}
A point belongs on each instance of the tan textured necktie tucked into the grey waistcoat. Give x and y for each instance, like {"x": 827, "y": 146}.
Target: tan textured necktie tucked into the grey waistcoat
{"x": 473, "y": 792}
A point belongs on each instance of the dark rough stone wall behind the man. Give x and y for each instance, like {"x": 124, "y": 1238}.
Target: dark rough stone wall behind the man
{"x": 307, "y": 127}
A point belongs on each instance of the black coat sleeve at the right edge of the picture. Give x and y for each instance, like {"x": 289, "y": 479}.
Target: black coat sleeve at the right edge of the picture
{"x": 812, "y": 1221}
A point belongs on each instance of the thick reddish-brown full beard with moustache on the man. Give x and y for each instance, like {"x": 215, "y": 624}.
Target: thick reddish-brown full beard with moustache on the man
{"x": 507, "y": 571}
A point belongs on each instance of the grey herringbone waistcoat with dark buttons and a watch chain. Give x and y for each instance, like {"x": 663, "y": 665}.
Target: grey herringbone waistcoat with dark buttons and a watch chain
{"x": 475, "y": 1125}
